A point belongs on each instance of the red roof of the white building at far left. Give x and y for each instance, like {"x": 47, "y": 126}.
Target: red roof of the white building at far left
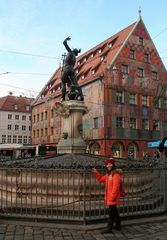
{"x": 15, "y": 104}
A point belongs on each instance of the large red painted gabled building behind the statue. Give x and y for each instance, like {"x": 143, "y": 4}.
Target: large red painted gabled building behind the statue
{"x": 120, "y": 78}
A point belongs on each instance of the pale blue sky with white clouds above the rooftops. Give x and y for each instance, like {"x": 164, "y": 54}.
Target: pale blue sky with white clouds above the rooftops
{"x": 32, "y": 32}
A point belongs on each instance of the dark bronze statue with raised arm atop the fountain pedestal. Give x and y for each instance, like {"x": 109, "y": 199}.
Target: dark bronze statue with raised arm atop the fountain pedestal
{"x": 69, "y": 76}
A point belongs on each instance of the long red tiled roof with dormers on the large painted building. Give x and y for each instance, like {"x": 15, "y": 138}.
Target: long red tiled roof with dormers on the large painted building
{"x": 89, "y": 65}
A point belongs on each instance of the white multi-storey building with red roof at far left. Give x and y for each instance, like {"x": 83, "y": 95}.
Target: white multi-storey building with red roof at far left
{"x": 15, "y": 119}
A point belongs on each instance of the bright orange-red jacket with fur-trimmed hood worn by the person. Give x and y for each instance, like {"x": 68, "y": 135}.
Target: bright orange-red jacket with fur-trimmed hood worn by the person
{"x": 112, "y": 186}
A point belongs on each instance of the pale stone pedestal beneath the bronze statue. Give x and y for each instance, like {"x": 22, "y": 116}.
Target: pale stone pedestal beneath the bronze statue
{"x": 71, "y": 138}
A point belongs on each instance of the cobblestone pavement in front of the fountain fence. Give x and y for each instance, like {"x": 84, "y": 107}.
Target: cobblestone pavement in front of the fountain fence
{"x": 19, "y": 231}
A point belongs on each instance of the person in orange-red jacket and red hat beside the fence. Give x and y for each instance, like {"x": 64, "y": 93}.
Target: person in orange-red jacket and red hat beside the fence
{"x": 112, "y": 180}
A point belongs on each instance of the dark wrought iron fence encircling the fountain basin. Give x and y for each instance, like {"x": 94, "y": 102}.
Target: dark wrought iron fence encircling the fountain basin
{"x": 73, "y": 194}
